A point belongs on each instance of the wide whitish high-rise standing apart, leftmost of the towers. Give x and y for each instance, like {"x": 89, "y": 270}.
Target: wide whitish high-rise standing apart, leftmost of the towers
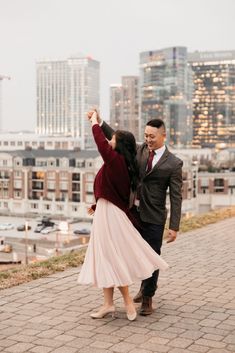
{"x": 66, "y": 90}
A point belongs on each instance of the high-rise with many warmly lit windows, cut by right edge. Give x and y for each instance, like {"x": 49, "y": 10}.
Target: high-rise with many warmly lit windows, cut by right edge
{"x": 213, "y": 98}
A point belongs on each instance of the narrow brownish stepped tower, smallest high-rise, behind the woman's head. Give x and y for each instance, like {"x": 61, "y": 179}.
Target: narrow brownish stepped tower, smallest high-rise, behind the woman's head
{"x": 124, "y": 105}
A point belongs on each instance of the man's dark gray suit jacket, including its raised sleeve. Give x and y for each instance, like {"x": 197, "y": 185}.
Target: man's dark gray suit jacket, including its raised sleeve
{"x": 152, "y": 191}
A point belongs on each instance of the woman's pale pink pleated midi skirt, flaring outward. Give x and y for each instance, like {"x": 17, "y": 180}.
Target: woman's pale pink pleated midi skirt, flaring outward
{"x": 117, "y": 255}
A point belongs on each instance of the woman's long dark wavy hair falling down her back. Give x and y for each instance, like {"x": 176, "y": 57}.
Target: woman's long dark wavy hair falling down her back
{"x": 126, "y": 145}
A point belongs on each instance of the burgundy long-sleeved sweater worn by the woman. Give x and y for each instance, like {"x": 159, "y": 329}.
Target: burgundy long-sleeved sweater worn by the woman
{"x": 112, "y": 181}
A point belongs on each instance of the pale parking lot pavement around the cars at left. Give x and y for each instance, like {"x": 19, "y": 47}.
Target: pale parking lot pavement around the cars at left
{"x": 38, "y": 246}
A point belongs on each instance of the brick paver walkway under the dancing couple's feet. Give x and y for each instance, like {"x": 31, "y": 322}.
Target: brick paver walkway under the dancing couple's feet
{"x": 195, "y": 306}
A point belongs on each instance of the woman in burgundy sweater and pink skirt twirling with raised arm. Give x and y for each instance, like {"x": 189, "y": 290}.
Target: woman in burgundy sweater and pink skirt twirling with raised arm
{"x": 117, "y": 255}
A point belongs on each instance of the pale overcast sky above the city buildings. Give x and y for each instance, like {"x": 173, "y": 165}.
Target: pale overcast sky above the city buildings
{"x": 113, "y": 32}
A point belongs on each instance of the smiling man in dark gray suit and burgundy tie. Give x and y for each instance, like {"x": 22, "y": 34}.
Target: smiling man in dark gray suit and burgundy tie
{"x": 159, "y": 170}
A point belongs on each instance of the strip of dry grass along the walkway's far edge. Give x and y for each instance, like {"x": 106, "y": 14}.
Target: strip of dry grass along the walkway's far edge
{"x": 23, "y": 273}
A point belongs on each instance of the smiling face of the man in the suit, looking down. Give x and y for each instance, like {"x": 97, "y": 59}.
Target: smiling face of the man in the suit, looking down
{"x": 154, "y": 137}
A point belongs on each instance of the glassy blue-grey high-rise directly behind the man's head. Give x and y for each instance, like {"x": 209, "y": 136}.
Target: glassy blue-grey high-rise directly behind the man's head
{"x": 166, "y": 93}
